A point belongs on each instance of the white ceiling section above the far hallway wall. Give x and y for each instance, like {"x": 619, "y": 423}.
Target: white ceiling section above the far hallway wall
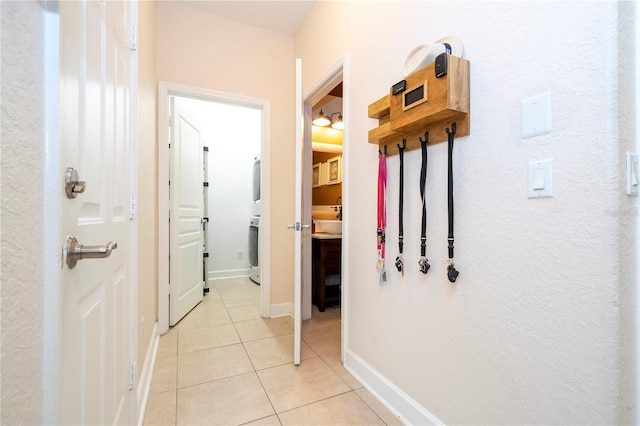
{"x": 283, "y": 16}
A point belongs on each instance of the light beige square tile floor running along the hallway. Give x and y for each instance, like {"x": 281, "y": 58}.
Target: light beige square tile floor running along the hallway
{"x": 225, "y": 365}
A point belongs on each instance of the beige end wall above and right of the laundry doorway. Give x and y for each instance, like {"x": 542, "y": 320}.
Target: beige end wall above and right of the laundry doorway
{"x": 199, "y": 49}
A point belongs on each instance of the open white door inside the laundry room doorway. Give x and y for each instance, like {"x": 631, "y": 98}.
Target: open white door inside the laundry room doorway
{"x": 186, "y": 176}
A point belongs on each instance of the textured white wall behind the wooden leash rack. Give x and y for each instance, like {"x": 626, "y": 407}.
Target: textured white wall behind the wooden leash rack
{"x": 530, "y": 333}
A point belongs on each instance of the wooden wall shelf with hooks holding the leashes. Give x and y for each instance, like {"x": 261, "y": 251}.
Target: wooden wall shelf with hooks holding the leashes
{"x": 446, "y": 100}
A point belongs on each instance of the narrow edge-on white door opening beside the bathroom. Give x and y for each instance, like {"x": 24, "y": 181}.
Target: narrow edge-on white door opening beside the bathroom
{"x": 297, "y": 226}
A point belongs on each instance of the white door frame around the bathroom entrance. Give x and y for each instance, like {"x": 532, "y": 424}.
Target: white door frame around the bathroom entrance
{"x": 337, "y": 73}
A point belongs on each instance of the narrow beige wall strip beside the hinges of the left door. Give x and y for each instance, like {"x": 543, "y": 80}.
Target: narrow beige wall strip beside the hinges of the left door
{"x": 147, "y": 179}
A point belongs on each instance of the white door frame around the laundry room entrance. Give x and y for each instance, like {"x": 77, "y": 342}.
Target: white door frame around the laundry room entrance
{"x": 166, "y": 89}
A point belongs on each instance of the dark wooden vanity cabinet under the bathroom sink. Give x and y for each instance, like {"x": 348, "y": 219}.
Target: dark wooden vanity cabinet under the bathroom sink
{"x": 327, "y": 270}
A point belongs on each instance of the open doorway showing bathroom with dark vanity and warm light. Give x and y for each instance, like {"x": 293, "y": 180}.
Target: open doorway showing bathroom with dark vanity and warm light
{"x": 330, "y": 205}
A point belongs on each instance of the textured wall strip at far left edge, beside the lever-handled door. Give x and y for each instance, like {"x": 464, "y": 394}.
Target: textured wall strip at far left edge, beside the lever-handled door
{"x": 22, "y": 178}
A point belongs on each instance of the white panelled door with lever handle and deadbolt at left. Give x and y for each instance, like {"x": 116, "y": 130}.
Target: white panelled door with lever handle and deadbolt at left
{"x": 95, "y": 137}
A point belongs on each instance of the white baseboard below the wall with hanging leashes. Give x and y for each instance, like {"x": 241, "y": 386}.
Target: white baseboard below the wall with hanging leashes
{"x": 398, "y": 402}
